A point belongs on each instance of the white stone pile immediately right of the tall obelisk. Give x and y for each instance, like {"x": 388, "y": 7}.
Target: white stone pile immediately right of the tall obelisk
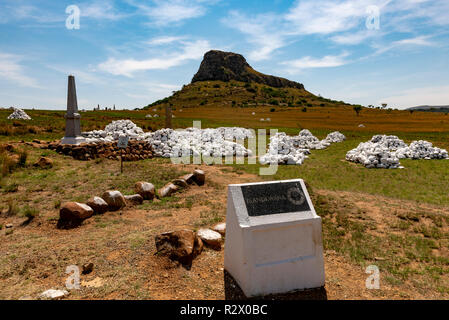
{"x": 113, "y": 131}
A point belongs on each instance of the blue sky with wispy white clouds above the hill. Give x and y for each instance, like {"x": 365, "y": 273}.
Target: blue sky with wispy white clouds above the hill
{"x": 133, "y": 52}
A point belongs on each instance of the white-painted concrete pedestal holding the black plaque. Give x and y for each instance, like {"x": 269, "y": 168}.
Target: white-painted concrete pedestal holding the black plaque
{"x": 274, "y": 253}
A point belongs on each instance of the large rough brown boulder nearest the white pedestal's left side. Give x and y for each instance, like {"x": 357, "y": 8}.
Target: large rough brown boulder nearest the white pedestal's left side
{"x": 182, "y": 246}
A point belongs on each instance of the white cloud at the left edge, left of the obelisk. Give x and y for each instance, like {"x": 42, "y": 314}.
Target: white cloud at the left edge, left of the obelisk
{"x": 12, "y": 70}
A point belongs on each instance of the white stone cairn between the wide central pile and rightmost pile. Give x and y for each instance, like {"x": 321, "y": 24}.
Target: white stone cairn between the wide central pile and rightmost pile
{"x": 284, "y": 149}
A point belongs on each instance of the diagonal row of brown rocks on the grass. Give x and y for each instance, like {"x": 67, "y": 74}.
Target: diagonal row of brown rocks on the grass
{"x": 72, "y": 214}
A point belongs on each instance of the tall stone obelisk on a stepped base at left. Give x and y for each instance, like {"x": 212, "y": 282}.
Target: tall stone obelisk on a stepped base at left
{"x": 72, "y": 117}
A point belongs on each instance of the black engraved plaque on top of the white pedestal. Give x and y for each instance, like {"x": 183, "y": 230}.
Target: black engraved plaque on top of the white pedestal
{"x": 274, "y": 198}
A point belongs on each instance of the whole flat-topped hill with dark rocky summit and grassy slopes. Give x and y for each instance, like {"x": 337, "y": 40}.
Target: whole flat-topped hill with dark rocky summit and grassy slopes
{"x": 226, "y": 79}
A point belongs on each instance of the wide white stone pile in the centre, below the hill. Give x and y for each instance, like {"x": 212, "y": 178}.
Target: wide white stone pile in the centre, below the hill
{"x": 194, "y": 142}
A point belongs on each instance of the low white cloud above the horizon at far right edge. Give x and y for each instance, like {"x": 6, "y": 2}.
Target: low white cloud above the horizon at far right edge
{"x": 438, "y": 95}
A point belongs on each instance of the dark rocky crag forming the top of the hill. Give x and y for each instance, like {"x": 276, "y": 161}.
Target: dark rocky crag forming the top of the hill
{"x": 226, "y": 66}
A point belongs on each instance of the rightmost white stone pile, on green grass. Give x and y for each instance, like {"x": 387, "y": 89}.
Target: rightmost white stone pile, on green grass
{"x": 384, "y": 151}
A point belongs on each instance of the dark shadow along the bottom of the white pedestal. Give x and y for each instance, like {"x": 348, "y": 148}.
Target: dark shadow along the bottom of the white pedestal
{"x": 233, "y": 292}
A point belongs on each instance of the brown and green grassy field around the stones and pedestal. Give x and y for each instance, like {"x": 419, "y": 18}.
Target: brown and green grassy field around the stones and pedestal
{"x": 396, "y": 219}
